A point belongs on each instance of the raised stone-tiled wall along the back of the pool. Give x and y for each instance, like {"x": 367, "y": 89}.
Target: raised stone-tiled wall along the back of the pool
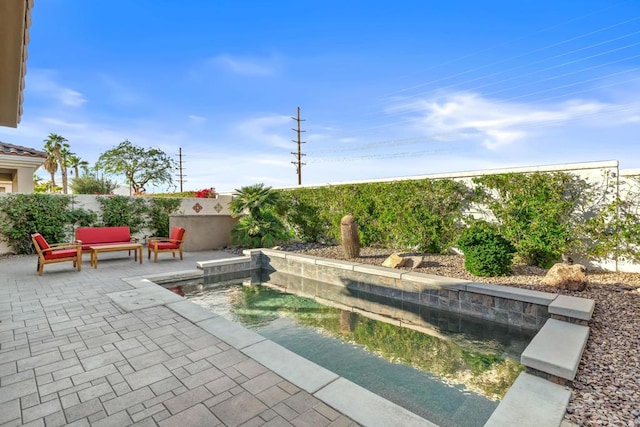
{"x": 510, "y": 306}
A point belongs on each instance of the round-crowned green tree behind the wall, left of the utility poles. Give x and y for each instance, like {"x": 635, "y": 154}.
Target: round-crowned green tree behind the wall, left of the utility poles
{"x": 140, "y": 166}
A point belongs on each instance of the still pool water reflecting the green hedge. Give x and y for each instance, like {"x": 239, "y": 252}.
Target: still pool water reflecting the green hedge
{"x": 449, "y": 375}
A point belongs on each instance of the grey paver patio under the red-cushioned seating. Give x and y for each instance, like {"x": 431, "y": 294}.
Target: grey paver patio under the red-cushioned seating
{"x": 70, "y": 356}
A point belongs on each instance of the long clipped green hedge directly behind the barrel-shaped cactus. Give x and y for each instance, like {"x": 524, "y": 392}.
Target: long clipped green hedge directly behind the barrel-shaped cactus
{"x": 421, "y": 215}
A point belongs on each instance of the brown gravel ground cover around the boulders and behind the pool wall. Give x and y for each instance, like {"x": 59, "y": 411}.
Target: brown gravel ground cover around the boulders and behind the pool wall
{"x": 606, "y": 390}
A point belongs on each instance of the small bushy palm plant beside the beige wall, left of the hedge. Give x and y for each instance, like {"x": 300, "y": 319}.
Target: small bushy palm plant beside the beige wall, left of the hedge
{"x": 258, "y": 225}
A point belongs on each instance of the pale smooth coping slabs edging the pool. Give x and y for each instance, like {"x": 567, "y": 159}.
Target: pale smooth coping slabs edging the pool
{"x": 517, "y": 406}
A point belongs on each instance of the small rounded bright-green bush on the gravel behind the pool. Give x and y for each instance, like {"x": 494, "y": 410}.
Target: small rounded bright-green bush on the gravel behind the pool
{"x": 486, "y": 252}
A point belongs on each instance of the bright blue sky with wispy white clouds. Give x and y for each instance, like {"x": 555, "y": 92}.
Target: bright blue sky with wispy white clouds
{"x": 387, "y": 89}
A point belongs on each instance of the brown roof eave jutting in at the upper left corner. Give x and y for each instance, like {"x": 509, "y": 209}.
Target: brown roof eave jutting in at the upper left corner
{"x": 15, "y": 20}
